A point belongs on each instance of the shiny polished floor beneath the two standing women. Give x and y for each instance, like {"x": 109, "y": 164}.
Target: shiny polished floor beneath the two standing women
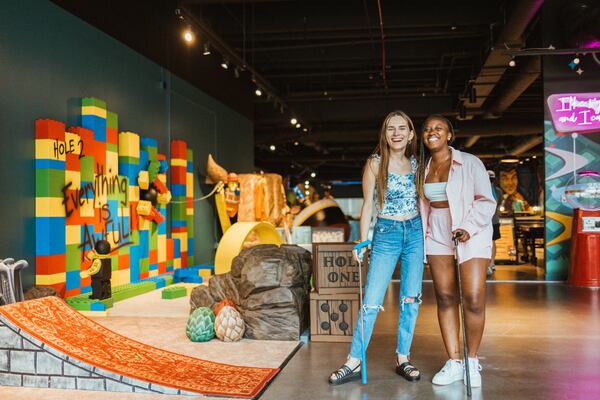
{"x": 542, "y": 341}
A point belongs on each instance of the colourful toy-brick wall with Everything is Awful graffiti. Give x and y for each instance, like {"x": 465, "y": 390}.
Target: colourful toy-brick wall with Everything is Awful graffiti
{"x": 93, "y": 184}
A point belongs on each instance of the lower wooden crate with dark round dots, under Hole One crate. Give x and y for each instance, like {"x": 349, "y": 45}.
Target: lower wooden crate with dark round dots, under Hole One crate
{"x": 333, "y": 316}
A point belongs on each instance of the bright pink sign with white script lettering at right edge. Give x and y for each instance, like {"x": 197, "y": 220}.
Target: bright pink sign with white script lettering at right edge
{"x": 575, "y": 112}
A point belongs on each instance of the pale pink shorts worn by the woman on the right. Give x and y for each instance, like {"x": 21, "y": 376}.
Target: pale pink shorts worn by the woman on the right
{"x": 438, "y": 239}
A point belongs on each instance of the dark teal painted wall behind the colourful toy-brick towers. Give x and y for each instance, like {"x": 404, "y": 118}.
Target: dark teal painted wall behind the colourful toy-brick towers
{"x": 49, "y": 59}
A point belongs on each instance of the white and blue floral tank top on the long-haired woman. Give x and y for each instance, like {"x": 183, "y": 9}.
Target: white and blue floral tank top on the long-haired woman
{"x": 401, "y": 196}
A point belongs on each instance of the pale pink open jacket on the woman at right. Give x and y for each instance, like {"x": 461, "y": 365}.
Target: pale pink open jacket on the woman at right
{"x": 469, "y": 192}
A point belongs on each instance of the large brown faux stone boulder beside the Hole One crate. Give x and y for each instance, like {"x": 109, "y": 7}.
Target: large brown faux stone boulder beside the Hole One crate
{"x": 270, "y": 286}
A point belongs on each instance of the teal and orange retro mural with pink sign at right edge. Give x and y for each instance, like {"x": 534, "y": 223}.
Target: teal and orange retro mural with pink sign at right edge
{"x": 572, "y": 144}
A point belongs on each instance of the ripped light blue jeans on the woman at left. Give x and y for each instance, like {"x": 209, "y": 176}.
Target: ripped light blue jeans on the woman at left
{"x": 393, "y": 240}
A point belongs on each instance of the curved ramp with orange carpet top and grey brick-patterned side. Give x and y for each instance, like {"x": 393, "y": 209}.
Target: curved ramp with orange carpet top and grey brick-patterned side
{"x": 45, "y": 343}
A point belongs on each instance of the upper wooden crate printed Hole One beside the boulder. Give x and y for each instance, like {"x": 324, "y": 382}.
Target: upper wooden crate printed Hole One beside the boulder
{"x": 334, "y": 268}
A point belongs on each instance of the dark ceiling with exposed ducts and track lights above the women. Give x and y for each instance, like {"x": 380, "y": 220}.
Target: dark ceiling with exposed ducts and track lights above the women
{"x": 321, "y": 62}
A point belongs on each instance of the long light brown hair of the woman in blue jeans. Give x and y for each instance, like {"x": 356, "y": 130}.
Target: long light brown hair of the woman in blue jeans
{"x": 383, "y": 150}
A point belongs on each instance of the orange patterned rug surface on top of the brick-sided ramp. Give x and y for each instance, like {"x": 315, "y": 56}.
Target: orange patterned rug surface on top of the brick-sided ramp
{"x": 53, "y": 322}
